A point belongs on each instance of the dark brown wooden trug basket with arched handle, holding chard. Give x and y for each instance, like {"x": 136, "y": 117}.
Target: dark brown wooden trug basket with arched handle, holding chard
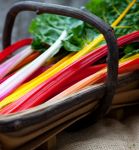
{"x": 38, "y": 127}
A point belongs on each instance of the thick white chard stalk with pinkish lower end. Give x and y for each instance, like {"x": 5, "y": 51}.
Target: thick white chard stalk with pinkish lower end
{"x": 19, "y": 77}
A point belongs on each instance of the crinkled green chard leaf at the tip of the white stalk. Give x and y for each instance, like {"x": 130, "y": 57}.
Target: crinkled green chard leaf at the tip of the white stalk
{"x": 46, "y": 28}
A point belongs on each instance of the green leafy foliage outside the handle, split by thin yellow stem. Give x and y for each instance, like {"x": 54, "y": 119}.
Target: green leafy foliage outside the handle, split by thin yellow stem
{"x": 109, "y": 10}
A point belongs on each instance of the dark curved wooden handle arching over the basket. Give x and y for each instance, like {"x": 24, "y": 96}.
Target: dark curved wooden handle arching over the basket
{"x": 91, "y": 19}
